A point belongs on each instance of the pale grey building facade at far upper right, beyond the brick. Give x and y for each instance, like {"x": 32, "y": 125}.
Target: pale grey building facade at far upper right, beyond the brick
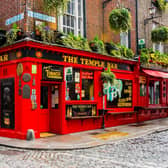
{"x": 147, "y": 22}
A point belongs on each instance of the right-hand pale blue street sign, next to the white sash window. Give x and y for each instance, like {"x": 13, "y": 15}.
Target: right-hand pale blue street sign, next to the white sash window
{"x": 41, "y": 16}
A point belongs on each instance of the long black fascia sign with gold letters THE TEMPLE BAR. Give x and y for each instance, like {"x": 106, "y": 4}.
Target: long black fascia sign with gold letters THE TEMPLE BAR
{"x": 71, "y": 59}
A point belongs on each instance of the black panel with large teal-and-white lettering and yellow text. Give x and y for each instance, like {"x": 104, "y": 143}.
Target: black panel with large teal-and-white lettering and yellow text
{"x": 120, "y": 94}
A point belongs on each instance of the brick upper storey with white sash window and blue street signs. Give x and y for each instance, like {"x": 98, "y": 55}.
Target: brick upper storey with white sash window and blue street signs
{"x": 91, "y": 19}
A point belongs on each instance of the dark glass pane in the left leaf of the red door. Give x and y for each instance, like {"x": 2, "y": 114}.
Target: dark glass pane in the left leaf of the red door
{"x": 44, "y": 97}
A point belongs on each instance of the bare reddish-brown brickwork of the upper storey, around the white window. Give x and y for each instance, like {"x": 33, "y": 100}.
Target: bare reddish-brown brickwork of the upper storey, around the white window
{"x": 94, "y": 17}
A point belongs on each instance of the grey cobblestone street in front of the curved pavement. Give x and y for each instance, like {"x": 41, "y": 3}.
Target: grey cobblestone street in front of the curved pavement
{"x": 150, "y": 151}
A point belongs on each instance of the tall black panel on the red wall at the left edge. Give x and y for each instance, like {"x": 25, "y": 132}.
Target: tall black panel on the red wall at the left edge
{"x": 7, "y": 103}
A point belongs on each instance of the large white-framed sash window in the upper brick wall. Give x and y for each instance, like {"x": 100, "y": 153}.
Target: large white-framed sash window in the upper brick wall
{"x": 72, "y": 20}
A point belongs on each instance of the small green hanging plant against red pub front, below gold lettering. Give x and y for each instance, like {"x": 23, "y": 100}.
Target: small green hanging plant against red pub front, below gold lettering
{"x": 108, "y": 76}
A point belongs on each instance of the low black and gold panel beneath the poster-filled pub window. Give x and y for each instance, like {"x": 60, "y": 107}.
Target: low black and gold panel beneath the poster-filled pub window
{"x": 80, "y": 110}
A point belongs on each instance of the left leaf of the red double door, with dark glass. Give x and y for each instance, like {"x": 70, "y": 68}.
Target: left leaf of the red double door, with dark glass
{"x": 44, "y": 112}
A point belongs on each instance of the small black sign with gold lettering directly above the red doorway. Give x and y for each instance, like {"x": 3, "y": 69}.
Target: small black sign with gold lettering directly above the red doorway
{"x": 52, "y": 72}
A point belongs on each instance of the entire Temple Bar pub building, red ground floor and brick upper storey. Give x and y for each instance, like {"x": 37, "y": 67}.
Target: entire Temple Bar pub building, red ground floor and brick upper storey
{"x": 51, "y": 88}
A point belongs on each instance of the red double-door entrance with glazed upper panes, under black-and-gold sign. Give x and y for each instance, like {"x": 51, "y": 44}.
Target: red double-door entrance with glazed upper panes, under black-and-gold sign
{"x": 49, "y": 107}
